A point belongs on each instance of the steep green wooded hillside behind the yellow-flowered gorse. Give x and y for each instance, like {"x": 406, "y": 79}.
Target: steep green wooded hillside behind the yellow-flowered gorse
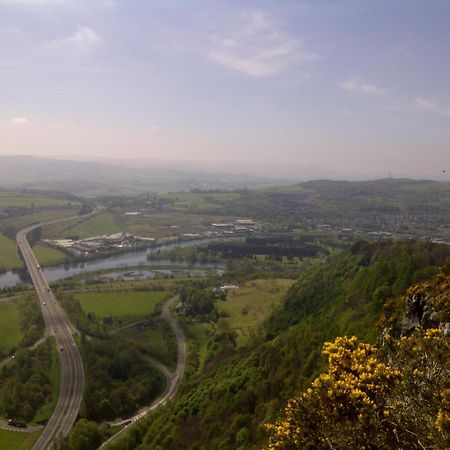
{"x": 226, "y": 407}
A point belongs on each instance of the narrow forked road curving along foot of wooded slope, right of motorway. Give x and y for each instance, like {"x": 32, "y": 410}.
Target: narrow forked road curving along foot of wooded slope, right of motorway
{"x": 173, "y": 379}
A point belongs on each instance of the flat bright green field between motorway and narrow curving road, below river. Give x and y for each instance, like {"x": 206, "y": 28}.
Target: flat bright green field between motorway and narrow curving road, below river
{"x": 123, "y": 305}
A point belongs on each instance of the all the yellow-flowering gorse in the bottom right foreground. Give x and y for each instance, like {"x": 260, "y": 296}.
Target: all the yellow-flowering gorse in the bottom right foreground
{"x": 397, "y": 396}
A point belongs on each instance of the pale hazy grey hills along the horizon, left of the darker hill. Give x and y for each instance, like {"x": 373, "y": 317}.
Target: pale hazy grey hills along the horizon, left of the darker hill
{"x": 116, "y": 177}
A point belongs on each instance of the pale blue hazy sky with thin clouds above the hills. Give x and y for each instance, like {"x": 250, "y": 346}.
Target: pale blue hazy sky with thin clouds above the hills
{"x": 361, "y": 86}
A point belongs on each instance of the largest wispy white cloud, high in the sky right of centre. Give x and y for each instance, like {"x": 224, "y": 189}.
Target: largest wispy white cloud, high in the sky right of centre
{"x": 257, "y": 48}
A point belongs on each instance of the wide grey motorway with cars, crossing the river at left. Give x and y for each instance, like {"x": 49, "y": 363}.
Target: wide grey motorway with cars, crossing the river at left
{"x": 70, "y": 363}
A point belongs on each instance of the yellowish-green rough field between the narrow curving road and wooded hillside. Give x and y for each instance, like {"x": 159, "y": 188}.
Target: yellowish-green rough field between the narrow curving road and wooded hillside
{"x": 248, "y": 306}
